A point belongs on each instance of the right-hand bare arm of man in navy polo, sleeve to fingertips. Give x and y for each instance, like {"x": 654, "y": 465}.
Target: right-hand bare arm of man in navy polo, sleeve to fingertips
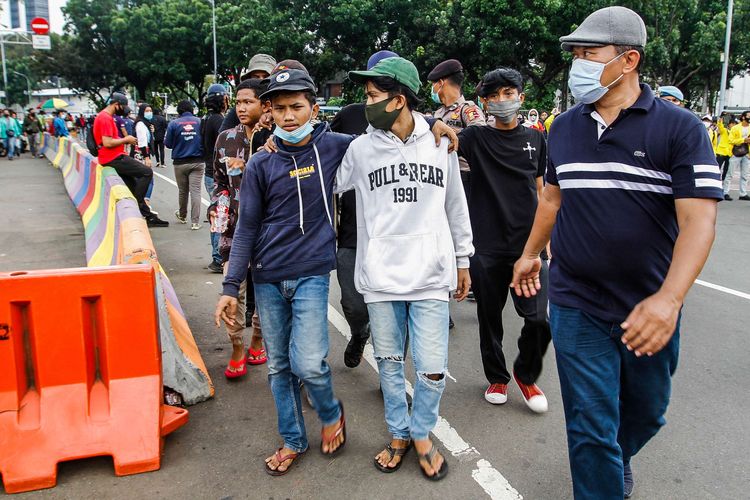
{"x": 652, "y": 322}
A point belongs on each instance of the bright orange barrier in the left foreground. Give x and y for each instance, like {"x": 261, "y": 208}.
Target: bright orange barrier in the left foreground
{"x": 80, "y": 372}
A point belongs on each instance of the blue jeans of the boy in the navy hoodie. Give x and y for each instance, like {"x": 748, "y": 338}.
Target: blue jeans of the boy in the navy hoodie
{"x": 294, "y": 315}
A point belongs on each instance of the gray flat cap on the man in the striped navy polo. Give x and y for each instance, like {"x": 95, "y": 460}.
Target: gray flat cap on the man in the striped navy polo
{"x": 607, "y": 26}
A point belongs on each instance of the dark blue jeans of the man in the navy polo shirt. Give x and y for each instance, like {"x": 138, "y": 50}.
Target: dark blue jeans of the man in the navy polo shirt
{"x": 614, "y": 401}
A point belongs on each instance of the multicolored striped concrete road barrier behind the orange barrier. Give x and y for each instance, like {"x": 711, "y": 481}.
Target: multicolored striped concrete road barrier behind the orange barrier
{"x": 117, "y": 234}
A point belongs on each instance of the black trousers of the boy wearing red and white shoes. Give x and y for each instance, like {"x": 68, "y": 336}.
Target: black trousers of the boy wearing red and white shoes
{"x": 490, "y": 280}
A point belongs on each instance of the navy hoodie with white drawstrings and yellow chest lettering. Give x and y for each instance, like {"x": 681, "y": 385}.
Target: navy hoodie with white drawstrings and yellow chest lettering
{"x": 283, "y": 228}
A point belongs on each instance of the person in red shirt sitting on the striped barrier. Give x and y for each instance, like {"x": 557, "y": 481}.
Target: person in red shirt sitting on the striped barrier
{"x": 111, "y": 149}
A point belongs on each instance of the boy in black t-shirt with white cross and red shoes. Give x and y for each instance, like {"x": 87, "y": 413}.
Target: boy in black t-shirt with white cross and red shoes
{"x": 507, "y": 163}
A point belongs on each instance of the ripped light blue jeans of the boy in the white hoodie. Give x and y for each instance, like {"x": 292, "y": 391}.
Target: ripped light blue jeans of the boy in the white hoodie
{"x": 427, "y": 322}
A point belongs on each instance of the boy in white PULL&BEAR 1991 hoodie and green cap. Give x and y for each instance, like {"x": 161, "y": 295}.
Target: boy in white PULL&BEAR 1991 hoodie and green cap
{"x": 413, "y": 246}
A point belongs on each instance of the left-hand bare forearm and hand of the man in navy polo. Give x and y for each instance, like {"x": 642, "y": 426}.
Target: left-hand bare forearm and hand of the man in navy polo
{"x": 527, "y": 268}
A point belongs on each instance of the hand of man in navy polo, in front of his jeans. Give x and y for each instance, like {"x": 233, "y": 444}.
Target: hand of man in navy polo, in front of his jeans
{"x": 651, "y": 324}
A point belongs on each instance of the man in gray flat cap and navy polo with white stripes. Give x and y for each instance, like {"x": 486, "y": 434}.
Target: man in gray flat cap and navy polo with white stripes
{"x": 630, "y": 205}
